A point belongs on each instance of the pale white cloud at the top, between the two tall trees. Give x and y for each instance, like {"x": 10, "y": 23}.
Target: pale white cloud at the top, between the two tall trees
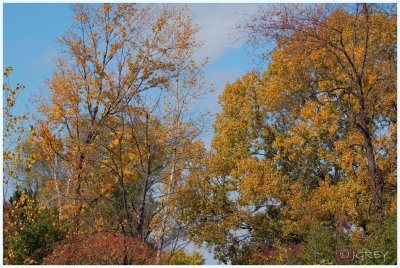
{"x": 217, "y": 23}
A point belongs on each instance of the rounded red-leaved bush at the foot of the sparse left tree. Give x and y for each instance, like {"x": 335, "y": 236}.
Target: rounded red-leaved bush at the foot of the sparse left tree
{"x": 102, "y": 249}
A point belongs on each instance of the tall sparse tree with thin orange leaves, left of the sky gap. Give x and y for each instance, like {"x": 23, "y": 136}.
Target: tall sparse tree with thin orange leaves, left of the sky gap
{"x": 117, "y": 129}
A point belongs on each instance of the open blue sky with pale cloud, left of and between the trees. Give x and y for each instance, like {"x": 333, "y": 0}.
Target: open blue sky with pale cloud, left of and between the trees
{"x": 29, "y": 46}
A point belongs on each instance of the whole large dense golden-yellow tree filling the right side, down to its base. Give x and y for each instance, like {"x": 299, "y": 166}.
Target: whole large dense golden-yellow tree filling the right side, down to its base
{"x": 308, "y": 144}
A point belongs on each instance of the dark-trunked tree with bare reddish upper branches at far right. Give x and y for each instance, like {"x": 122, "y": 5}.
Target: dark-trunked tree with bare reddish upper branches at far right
{"x": 351, "y": 59}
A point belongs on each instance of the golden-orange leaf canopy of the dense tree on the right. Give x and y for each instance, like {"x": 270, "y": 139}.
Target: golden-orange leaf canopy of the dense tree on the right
{"x": 295, "y": 139}
